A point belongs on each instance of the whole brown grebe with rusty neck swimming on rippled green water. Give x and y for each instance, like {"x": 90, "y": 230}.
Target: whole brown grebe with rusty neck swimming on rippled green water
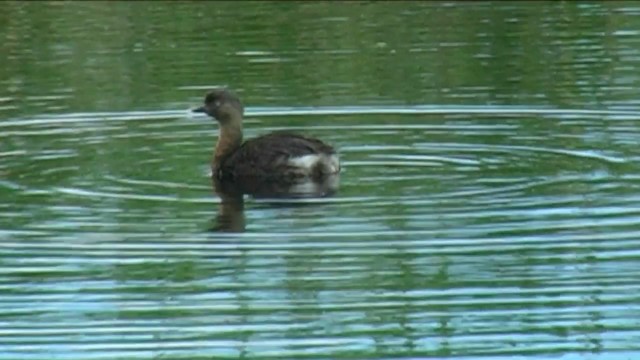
{"x": 279, "y": 157}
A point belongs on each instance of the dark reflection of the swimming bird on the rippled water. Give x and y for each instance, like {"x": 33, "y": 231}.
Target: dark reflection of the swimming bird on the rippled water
{"x": 230, "y": 217}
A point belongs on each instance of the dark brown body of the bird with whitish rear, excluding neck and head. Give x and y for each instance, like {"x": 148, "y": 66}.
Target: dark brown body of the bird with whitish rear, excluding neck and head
{"x": 282, "y": 157}
